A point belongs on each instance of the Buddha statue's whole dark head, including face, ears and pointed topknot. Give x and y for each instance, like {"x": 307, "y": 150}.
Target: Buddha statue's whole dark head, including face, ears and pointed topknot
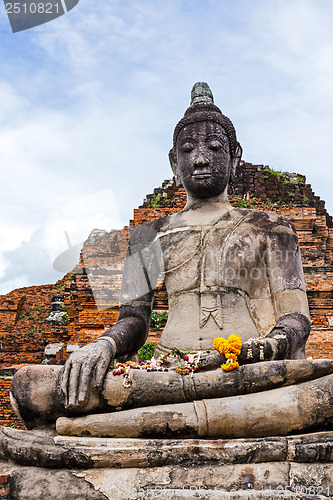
{"x": 205, "y": 150}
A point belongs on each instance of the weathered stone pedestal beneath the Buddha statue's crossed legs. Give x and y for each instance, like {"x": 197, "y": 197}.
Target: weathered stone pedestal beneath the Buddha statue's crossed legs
{"x": 44, "y": 465}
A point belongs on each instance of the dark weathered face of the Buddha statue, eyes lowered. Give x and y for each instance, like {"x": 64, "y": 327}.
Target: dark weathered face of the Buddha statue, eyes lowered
{"x": 204, "y": 162}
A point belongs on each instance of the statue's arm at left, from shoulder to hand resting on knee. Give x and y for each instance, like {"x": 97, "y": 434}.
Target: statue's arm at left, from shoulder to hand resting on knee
{"x": 85, "y": 370}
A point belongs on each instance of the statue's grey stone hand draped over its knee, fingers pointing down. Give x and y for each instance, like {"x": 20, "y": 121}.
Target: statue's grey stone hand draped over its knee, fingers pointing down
{"x": 84, "y": 373}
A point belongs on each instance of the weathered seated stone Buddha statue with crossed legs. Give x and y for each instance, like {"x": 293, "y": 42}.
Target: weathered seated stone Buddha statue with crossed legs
{"x": 227, "y": 271}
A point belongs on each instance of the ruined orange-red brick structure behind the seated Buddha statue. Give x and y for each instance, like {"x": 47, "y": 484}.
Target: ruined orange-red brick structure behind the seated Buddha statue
{"x": 91, "y": 291}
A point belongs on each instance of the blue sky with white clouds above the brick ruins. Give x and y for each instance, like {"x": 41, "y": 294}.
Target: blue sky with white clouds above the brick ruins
{"x": 89, "y": 101}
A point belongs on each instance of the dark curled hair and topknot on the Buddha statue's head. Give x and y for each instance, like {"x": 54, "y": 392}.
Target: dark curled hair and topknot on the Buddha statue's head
{"x": 202, "y": 108}
